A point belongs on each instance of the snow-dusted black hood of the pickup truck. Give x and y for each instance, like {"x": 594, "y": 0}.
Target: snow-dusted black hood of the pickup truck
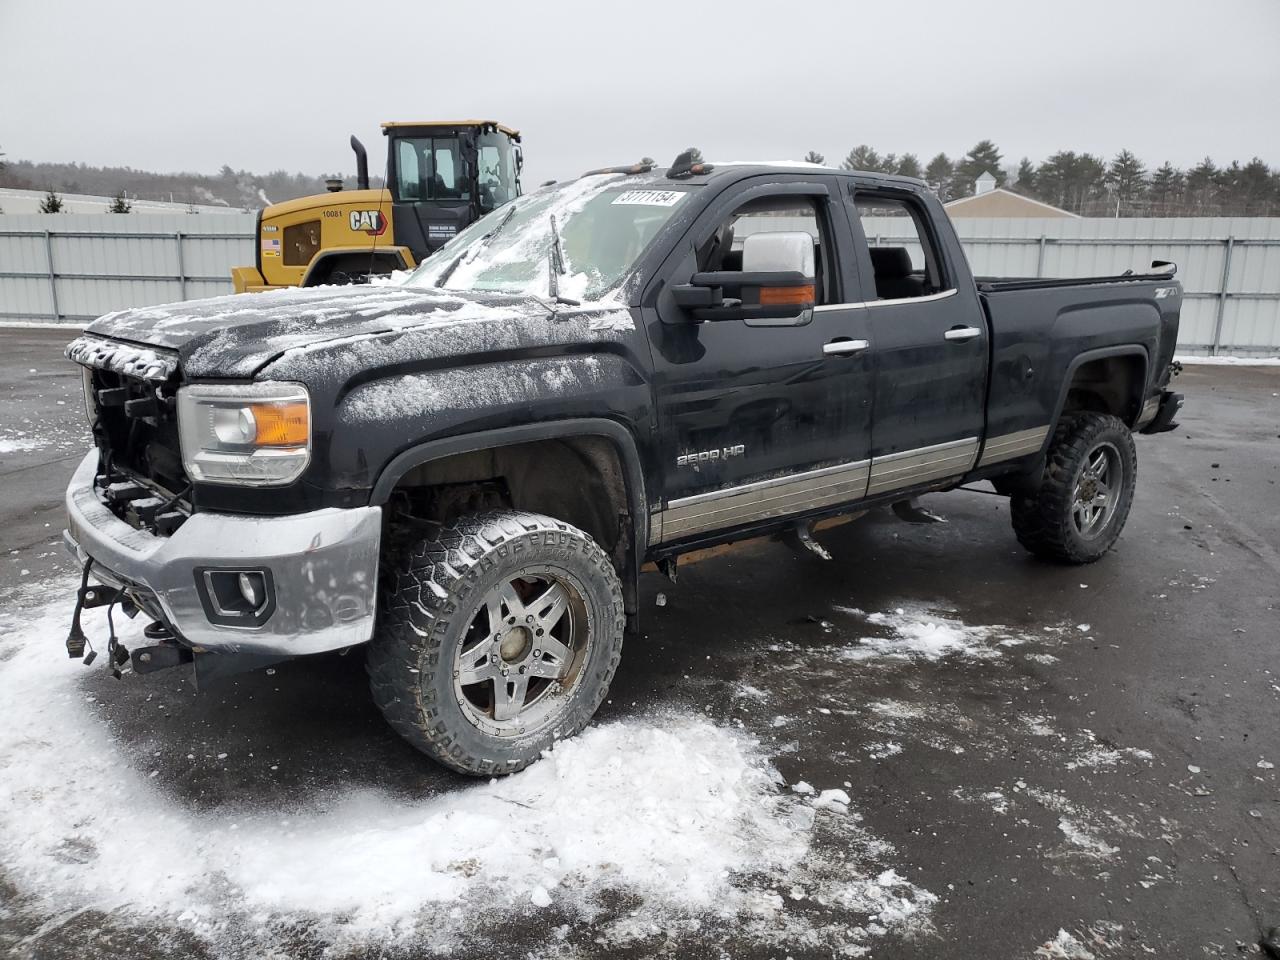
{"x": 237, "y": 336}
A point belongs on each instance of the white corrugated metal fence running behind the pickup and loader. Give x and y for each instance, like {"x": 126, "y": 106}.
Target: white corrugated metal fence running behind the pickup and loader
{"x": 72, "y": 268}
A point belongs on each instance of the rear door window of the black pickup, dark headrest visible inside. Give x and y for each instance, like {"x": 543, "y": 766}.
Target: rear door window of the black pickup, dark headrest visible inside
{"x": 903, "y": 253}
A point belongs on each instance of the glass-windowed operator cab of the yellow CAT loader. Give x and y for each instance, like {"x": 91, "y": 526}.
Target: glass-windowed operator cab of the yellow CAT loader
{"x": 446, "y": 176}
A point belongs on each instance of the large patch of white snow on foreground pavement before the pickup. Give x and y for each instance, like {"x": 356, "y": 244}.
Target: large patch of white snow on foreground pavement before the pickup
{"x": 689, "y": 817}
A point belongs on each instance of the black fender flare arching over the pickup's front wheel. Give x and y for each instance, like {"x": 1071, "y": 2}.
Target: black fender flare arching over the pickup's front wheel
{"x": 620, "y": 437}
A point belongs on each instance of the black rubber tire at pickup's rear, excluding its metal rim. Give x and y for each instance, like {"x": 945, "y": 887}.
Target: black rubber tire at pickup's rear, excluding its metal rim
{"x": 1044, "y": 520}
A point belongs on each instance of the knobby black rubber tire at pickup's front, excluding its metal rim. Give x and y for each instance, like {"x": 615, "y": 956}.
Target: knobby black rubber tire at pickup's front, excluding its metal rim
{"x": 428, "y": 596}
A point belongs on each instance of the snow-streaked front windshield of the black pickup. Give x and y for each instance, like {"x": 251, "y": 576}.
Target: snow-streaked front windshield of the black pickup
{"x": 604, "y": 227}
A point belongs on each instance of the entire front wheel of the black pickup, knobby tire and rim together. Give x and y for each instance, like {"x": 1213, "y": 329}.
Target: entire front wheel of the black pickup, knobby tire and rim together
{"x": 497, "y": 637}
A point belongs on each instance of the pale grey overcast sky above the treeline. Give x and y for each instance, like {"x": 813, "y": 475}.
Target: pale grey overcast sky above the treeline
{"x": 166, "y": 85}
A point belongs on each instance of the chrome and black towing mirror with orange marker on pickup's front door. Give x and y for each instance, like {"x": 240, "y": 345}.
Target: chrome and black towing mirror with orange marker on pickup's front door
{"x": 774, "y": 289}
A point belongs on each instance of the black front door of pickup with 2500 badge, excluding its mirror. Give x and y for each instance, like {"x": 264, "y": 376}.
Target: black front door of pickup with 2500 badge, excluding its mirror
{"x": 762, "y": 419}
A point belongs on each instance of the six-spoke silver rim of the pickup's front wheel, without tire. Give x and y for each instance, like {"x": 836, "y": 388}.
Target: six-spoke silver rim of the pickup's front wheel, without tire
{"x": 522, "y": 657}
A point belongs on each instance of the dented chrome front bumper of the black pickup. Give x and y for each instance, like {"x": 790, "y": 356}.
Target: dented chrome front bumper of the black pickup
{"x": 323, "y": 566}
